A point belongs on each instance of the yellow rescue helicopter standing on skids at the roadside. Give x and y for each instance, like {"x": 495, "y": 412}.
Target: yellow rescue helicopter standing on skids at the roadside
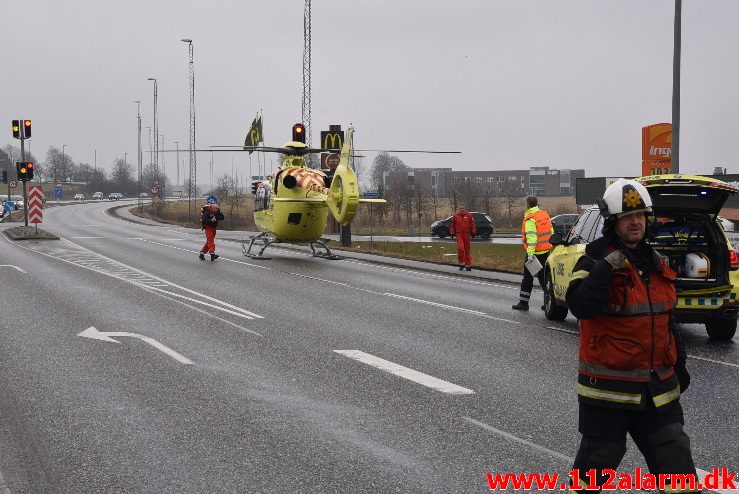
{"x": 292, "y": 205}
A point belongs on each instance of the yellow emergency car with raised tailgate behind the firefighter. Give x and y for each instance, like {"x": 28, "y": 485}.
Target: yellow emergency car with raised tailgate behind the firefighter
{"x": 684, "y": 228}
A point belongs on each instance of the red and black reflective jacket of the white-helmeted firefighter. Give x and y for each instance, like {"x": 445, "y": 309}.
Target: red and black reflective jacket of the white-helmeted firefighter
{"x": 629, "y": 342}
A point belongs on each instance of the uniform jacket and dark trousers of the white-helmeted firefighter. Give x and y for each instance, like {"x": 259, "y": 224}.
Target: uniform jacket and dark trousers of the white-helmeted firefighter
{"x": 632, "y": 362}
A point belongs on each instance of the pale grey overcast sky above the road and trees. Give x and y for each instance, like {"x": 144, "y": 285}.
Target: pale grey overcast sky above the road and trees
{"x": 510, "y": 83}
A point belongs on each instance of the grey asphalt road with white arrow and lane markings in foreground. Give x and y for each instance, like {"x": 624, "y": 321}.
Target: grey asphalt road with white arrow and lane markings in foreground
{"x": 294, "y": 374}
